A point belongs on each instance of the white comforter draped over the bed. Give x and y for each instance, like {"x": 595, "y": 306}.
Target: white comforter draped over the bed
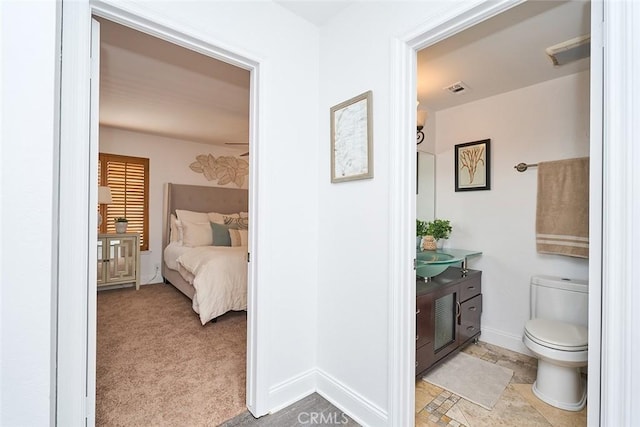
{"x": 220, "y": 279}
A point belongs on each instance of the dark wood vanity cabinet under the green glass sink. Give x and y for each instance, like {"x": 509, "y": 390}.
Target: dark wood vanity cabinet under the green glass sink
{"x": 448, "y": 310}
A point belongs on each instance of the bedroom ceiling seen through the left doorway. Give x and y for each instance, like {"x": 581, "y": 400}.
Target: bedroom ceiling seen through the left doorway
{"x": 153, "y": 86}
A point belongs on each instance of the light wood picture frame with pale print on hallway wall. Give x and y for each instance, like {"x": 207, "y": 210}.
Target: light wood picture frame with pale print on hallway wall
{"x": 352, "y": 139}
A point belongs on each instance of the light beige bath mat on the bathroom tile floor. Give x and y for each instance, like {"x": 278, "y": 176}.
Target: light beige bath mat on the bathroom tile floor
{"x": 471, "y": 378}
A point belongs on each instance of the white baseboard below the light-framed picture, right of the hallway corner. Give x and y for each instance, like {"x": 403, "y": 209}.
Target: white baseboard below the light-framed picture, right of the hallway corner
{"x": 351, "y": 403}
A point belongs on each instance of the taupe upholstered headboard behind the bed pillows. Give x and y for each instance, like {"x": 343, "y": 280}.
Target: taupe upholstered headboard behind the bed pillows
{"x": 201, "y": 199}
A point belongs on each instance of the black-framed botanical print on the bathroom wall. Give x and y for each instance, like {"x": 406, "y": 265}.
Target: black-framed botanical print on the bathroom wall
{"x": 473, "y": 165}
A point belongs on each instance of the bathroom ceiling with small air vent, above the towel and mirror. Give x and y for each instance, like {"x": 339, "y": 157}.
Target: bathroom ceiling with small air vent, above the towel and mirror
{"x": 501, "y": 54}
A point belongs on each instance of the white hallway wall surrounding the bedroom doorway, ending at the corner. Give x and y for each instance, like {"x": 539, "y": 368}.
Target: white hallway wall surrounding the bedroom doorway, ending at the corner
{"x": 286, "y": 48}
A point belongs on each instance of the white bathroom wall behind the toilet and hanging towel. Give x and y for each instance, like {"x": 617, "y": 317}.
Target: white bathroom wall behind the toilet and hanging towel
{"x": 547, "y": 121}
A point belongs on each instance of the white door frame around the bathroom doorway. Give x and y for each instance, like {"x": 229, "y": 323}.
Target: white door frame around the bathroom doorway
{"x": 402, "y": 201}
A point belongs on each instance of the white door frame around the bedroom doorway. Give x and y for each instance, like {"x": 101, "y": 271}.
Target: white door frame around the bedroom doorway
{"x": 75, "y": 355}
